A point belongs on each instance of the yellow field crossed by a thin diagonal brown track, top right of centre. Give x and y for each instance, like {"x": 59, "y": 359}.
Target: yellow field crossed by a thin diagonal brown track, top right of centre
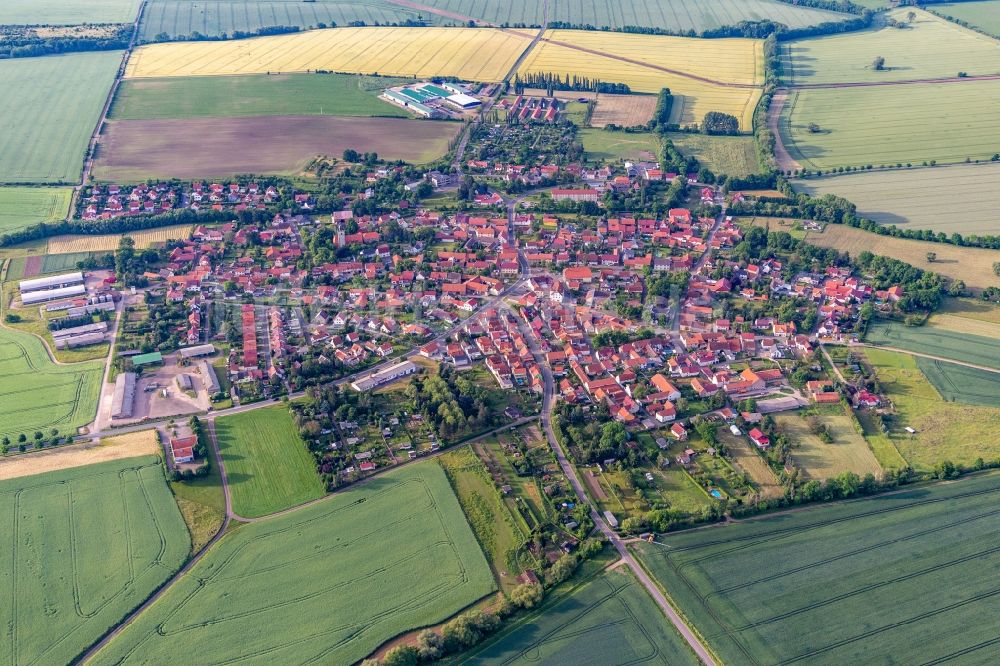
{"x": 703, "y": 74}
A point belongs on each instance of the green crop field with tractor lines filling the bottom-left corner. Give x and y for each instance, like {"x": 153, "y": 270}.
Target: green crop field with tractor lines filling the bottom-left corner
{"x": 82, "y": 548}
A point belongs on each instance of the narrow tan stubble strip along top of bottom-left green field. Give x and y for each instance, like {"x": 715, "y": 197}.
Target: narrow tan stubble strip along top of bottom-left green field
{"x": 77, "y": 455}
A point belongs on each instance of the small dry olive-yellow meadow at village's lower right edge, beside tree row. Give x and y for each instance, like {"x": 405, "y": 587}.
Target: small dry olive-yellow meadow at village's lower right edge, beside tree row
{"x": 849, "y": 451}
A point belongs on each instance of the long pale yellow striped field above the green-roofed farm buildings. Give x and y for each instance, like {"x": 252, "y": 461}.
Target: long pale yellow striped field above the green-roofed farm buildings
{"x": 472, "y": 54}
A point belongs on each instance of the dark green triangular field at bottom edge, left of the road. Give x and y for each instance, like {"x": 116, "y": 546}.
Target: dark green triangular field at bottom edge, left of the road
{"x": 608, "y": 620}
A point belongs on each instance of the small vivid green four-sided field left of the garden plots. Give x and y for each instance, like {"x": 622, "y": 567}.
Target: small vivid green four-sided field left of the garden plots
{"x": 268, "y": 465}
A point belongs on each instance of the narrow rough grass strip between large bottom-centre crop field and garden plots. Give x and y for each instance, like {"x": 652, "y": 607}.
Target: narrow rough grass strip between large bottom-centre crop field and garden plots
{"x": 494, "y": 526}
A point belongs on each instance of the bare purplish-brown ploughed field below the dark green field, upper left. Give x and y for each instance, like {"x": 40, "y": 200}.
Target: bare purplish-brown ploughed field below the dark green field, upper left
{"x": 220, "y": 147}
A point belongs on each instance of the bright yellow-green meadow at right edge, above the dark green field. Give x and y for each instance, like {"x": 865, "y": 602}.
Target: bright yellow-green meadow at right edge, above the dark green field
{"x": 944, "y": 430}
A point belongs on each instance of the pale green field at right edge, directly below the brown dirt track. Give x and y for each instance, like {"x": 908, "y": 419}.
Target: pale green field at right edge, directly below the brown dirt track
{"x": 889, "y": 125}
